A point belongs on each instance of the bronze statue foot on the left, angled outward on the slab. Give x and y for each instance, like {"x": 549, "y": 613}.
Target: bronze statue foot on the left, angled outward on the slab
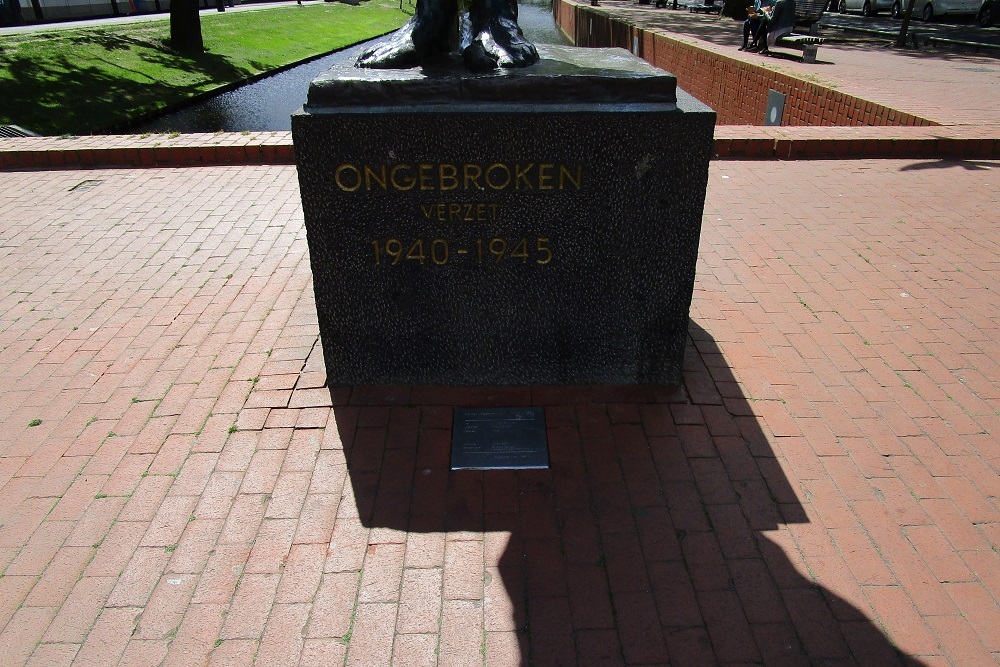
{"x": 427, "y": 33}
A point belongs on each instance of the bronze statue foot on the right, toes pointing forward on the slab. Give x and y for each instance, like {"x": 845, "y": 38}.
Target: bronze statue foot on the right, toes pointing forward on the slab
{"x": 497, "y": 41}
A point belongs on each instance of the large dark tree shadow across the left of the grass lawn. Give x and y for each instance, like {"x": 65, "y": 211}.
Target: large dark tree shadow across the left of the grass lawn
{"x": 61, "y": 96}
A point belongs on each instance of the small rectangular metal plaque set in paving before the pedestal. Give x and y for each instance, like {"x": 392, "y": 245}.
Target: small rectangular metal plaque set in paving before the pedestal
{"x": 499, "y": 439}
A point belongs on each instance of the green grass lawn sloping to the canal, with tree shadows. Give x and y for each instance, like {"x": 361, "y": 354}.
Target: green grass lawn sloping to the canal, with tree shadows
{"x": 95, "y": 79}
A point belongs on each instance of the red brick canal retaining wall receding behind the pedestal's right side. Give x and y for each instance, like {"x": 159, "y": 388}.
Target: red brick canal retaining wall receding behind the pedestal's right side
{"x": 736, "y": 89}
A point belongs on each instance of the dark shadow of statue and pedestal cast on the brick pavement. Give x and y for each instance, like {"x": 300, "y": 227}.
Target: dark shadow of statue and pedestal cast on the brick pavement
{"x": 655, "y": 536}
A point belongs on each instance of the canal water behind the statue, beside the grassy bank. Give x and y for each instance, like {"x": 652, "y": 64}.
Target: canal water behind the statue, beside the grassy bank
{"x": 267, "y": 104}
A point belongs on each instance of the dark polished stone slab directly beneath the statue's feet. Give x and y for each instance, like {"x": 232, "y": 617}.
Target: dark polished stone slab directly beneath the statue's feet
{"x": 564, "y": 75}
